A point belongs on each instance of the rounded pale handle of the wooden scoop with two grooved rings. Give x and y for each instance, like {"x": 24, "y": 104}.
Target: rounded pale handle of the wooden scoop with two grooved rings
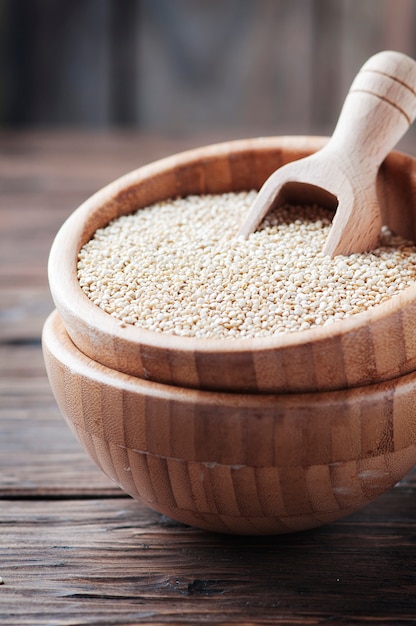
{"x": 378, "y": 110}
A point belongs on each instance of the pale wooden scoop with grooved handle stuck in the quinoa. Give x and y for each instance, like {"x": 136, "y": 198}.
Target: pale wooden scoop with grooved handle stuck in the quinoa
{"x": 379, "y": 108}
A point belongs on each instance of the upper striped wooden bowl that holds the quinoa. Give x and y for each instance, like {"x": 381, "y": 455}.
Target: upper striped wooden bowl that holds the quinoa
{"x": 372, "y": 346}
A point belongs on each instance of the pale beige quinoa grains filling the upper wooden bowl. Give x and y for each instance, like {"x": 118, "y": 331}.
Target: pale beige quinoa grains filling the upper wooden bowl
{"x": 178, "y": 267}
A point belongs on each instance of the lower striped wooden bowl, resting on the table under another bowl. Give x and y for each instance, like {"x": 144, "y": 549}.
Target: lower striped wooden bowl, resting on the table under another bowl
{"x": 236, "y": 463}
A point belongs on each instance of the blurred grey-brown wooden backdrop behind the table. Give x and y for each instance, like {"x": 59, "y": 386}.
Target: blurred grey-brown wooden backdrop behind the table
{"x": 175, "y": 67}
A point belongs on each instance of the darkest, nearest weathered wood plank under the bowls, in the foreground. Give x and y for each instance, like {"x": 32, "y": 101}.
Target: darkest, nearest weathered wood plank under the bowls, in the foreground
{"x": 113, "y": 561}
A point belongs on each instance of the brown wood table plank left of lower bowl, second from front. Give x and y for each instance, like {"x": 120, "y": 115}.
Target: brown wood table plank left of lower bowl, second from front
{"x": 38, "y": 453}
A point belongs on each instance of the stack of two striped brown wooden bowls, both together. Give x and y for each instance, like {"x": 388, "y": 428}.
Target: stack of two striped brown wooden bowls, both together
{"x": 258, "y": 435}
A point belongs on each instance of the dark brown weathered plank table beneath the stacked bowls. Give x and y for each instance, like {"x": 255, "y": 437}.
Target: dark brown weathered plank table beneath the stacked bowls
{"x": 73, "y": 548}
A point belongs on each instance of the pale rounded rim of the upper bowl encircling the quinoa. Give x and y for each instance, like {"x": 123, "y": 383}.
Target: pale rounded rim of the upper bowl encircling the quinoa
{"x": 73, "y": 303}
